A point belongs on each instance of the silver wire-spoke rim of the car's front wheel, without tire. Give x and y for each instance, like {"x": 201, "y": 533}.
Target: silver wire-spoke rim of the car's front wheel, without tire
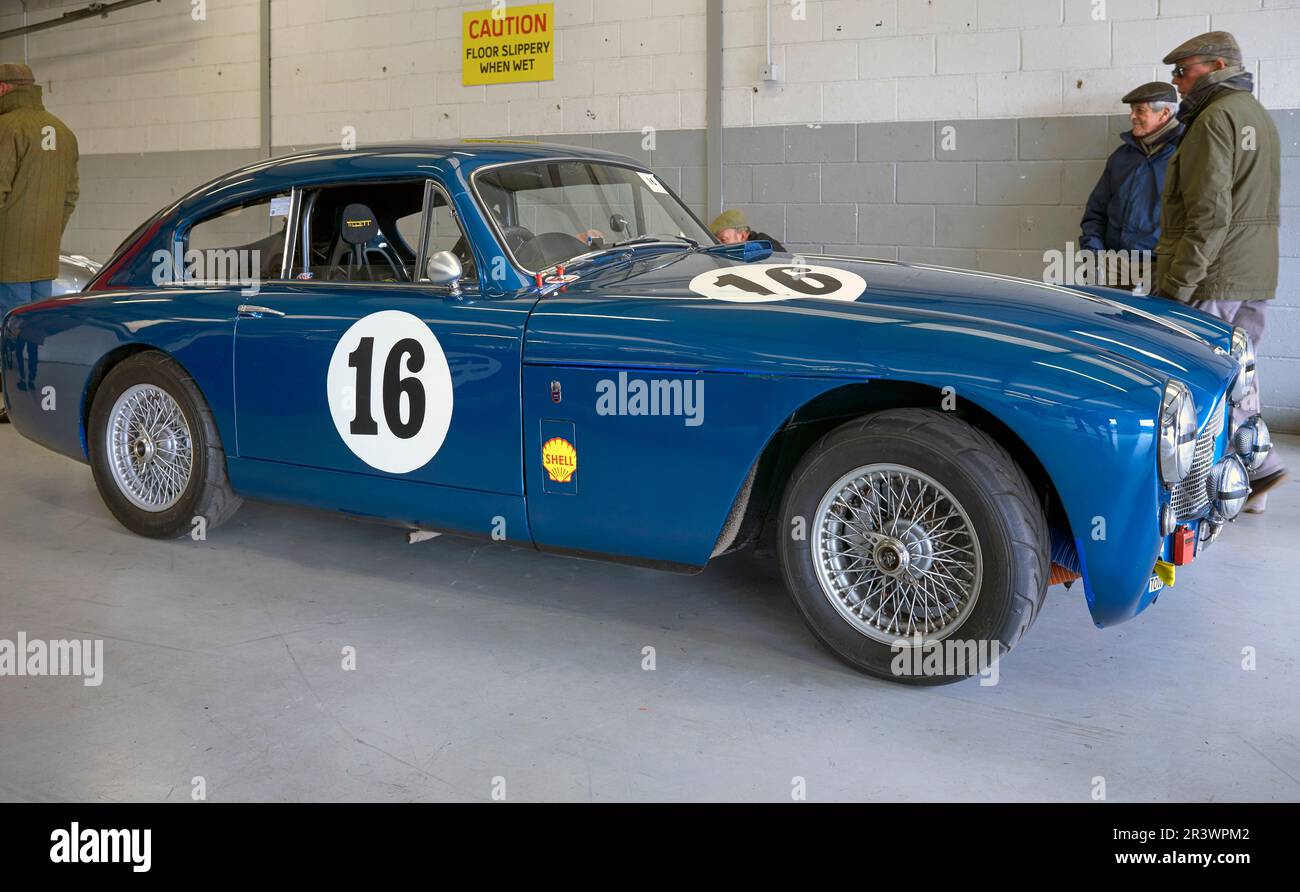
{"x": 896, "y": 555}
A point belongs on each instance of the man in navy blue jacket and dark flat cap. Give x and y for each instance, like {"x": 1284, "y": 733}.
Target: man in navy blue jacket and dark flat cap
{"x": 1124, "y": 210}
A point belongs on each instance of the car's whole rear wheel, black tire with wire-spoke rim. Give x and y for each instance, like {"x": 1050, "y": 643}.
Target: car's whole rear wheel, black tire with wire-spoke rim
{"x": 155, "y": 451}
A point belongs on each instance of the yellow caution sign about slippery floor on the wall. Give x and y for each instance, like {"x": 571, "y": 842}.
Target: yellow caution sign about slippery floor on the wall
{"x": 509, "y": 45}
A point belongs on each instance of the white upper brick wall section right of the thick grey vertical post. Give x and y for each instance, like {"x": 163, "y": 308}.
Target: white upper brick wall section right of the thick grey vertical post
{"x": 994, "y": 58}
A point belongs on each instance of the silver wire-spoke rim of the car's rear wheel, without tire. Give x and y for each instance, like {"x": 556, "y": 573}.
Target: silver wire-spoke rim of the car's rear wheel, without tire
{"x": 150, "y": 448}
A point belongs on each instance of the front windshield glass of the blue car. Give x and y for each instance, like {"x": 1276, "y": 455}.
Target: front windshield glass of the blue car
{"x": 549, "y": 213}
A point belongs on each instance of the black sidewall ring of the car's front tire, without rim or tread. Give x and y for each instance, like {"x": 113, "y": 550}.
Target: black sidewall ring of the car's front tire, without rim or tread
{"x": 993, "y": 620}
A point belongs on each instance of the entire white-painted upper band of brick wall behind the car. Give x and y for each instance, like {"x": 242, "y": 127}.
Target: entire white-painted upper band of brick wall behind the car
{"x": 153, "y": 80}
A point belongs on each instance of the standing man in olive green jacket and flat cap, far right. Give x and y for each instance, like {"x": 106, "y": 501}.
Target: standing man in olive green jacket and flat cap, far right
{"x": 1219, "y": 246}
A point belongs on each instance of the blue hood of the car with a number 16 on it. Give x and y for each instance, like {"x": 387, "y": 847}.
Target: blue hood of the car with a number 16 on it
{"x": 1151, "y": 336}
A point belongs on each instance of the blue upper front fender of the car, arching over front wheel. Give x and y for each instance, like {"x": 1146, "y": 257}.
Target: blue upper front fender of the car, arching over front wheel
{"x": 1089, "y": 415}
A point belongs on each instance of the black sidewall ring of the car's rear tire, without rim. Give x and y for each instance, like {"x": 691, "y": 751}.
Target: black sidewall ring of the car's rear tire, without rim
{"x": 159, "y": 371}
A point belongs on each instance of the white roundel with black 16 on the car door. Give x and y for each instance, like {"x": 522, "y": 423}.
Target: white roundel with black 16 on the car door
{"x": 389, "y": 392}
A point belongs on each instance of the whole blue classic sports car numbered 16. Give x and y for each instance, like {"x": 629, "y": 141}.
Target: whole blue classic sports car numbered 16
{"x": 544, "y": 347}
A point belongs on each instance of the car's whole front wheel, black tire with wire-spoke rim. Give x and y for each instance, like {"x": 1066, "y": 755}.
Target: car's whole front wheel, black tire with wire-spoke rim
{"x": 925, "y": 552}
